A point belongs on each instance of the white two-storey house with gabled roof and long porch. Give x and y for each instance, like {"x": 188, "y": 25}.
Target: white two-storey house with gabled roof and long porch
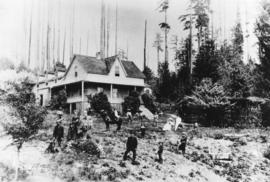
{"x": 88, "y": 75}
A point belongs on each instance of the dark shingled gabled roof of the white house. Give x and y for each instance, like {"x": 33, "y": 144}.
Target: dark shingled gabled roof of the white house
{"x": 97, "y": 66}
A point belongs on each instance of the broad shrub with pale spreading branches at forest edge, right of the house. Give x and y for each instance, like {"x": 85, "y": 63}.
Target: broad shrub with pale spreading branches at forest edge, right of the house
{"x": 208, "y": 103}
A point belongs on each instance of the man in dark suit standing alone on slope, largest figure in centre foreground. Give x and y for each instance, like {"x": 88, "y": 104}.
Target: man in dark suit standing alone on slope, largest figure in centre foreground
{"x": 131, "y": 145}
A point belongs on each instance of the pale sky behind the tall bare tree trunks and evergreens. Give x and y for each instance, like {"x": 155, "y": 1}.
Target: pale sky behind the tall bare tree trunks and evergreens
{"x": 15, "y": 18}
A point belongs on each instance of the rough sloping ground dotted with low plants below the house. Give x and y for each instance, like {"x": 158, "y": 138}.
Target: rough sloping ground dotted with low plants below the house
{"x": 213, "y": 155}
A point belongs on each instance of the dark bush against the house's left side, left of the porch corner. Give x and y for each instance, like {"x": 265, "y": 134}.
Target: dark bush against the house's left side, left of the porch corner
{"x": 59, "y": 100}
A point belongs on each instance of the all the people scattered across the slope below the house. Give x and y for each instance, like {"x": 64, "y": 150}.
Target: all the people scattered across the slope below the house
{"x": 79, "y": 126}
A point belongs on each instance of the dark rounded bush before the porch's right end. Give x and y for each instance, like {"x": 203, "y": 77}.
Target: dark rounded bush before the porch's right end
{"x": 132, "y": 102}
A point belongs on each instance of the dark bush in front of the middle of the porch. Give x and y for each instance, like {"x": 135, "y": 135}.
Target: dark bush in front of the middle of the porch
{"x": 100, "y": 102}
